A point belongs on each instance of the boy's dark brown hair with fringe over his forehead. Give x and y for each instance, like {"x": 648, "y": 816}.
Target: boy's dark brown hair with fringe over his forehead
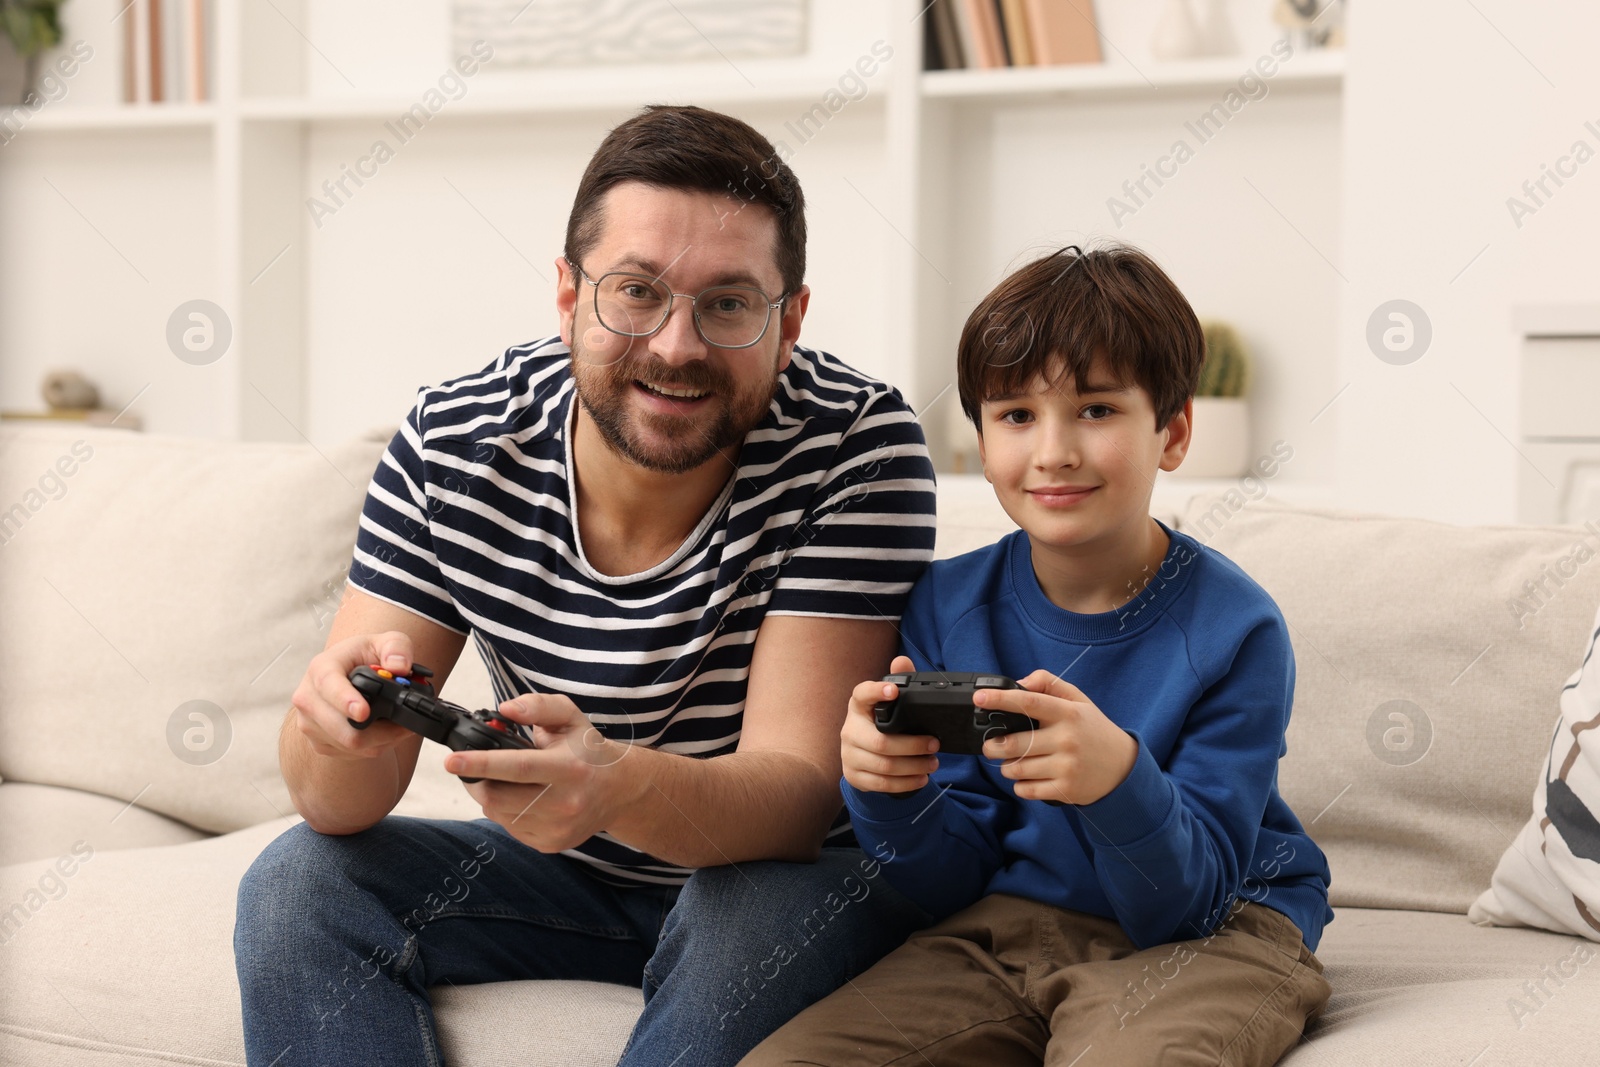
{"x": 1055, "y": 316}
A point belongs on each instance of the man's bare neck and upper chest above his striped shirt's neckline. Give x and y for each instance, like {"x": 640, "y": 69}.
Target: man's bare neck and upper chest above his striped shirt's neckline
{"x": 633, "y": 519}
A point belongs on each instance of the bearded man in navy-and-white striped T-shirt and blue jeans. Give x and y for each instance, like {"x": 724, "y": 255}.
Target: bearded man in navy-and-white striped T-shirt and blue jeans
{"x": 676, "y": 538}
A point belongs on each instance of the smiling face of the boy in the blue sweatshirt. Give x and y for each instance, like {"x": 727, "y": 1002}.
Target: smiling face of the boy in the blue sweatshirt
{"x": 1074, "y": 470}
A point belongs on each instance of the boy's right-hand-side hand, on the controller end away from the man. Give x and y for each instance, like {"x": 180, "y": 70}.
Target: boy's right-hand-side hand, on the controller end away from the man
{"x": 1078, "y": 756}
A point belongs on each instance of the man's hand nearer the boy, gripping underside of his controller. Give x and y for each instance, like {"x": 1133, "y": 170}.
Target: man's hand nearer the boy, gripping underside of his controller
{"x": 561, "y": 794}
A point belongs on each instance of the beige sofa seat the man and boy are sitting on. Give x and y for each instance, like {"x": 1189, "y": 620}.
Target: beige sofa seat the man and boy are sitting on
{"x": 1409, "y": 988}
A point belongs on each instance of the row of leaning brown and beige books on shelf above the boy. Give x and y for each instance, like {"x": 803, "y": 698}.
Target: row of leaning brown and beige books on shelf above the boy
{"x": 1010, "y": 34}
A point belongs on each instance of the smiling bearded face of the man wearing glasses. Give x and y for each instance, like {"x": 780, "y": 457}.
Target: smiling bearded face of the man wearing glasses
{"x": 671, "y": 402}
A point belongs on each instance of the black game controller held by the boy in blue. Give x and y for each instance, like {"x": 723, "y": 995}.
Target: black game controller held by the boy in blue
{"x": 940, "y": 705}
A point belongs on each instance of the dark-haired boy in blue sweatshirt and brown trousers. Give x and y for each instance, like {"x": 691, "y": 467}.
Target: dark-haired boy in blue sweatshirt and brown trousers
{"x": 1166, "y": 908}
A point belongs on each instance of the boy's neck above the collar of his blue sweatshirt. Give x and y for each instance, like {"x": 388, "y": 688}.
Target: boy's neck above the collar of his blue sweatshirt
{"x": 1102, "y": 577}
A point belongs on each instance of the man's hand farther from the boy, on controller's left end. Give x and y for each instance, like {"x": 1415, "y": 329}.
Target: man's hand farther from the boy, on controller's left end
{"x": 326, "y": 700}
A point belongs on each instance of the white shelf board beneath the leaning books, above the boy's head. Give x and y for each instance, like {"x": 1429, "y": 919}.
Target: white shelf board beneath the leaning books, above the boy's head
{"x": 1306, "y": 70}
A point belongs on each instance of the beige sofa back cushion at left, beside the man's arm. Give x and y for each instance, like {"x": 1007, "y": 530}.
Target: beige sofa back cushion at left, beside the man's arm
{"x": 162, "y": 597}
